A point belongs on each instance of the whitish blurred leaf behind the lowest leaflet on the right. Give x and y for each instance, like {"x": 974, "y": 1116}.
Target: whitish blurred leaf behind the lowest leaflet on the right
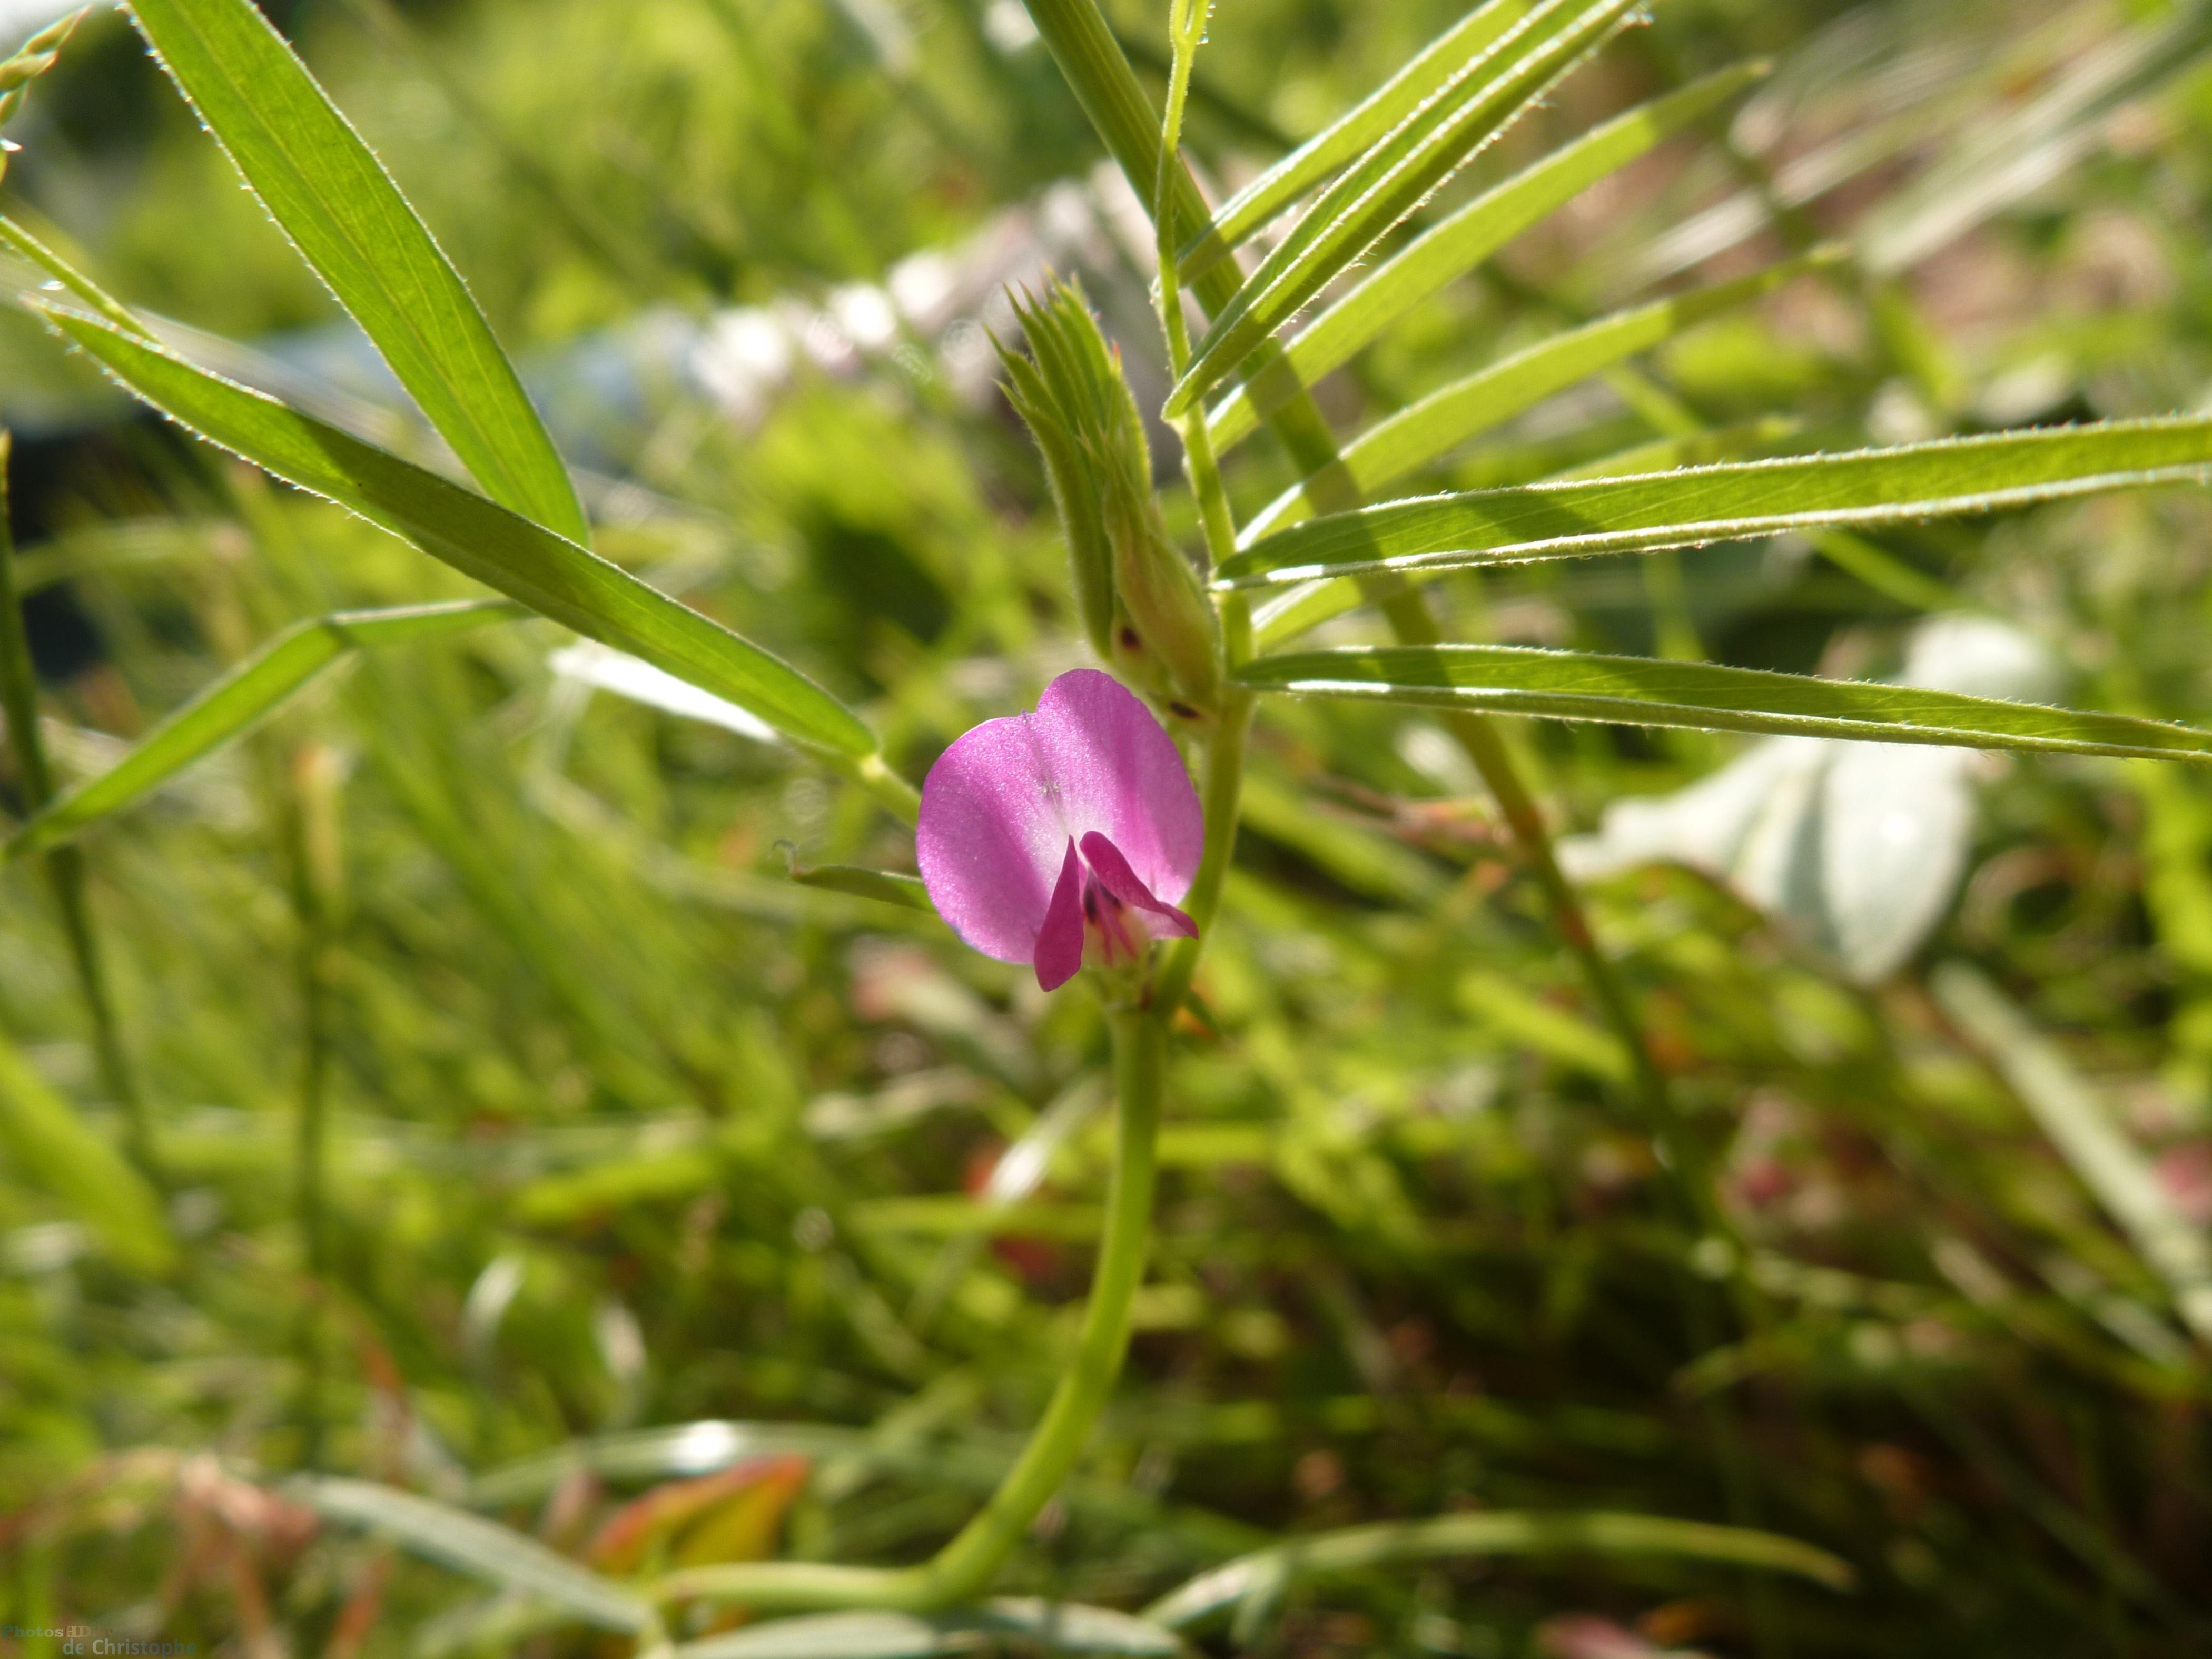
{"x": 1853, "y": 846}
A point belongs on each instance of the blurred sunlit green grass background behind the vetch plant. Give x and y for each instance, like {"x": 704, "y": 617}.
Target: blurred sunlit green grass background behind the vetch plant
{"x": 632, "y": 1131}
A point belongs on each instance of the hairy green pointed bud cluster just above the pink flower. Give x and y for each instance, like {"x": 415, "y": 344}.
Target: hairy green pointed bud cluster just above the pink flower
{"x": 1138, "y": 598}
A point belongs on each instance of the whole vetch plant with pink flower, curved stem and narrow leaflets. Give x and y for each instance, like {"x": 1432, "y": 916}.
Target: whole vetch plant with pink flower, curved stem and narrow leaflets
{"x": 1096, "y": 831}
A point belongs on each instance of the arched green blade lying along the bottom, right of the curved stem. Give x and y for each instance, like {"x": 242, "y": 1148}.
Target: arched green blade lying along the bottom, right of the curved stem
{"x": 1492, "y": 1534}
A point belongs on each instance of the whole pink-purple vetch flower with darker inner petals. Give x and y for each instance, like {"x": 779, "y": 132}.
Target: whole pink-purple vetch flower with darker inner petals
{"x": 1063, "y": 835}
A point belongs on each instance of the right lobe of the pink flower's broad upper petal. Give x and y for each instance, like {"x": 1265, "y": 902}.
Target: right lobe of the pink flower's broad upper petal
{"x": 1118, "y": 773}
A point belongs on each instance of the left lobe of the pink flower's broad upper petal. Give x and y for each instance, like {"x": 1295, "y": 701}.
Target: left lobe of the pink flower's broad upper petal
{"x": 992, "y": 837}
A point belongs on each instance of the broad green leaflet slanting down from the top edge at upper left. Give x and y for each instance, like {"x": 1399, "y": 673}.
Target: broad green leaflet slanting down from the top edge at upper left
{"x": 346, "y": 216}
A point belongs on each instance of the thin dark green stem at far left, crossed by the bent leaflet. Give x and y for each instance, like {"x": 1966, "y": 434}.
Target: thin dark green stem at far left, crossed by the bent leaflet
{"x": 65, "y": 866}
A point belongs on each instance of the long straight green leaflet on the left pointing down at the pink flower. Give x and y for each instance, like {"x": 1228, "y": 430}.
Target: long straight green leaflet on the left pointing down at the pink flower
{"x": 479, "y": 539}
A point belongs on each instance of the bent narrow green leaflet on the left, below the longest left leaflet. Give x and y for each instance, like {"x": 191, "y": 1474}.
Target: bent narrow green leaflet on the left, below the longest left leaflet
{"x": 236, "y": 705}
